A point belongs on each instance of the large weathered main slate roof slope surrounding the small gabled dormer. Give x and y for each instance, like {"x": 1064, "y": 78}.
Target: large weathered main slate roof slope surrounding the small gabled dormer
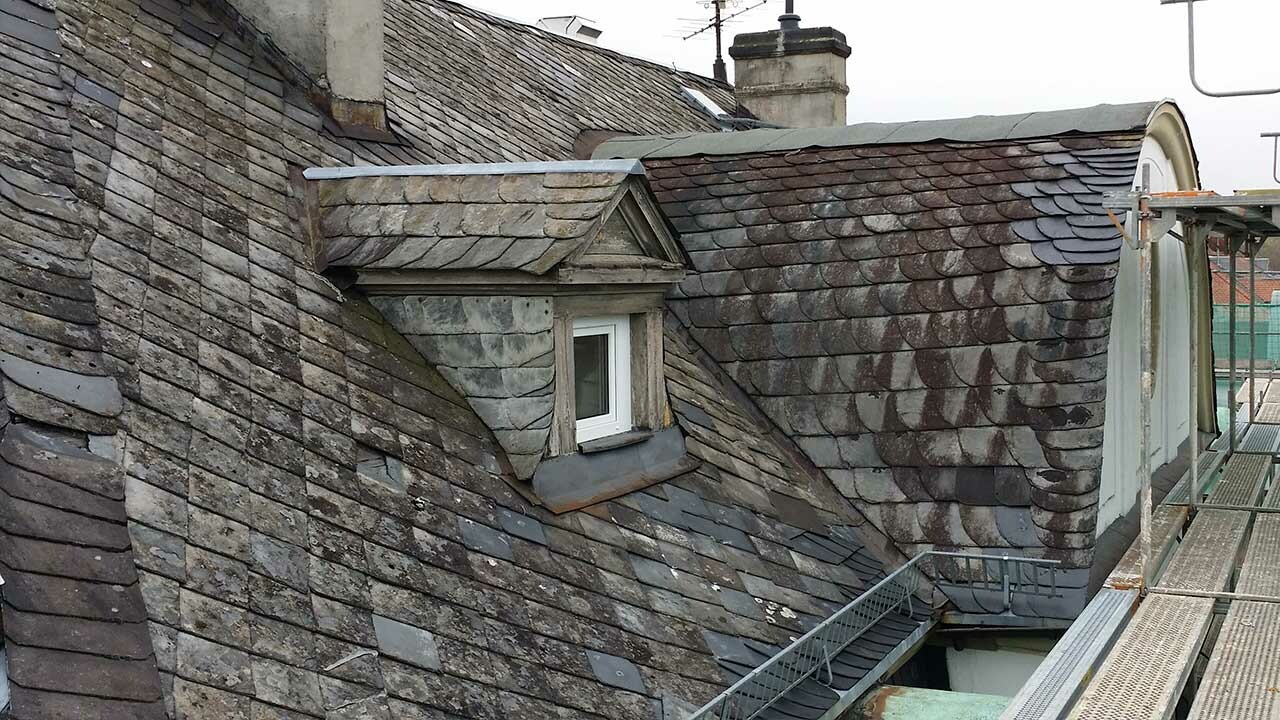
{"x": 317, "y": 521}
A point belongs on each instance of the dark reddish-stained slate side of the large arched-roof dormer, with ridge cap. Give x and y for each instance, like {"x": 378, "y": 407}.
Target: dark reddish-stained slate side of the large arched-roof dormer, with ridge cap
{"x": 929, "y": 320}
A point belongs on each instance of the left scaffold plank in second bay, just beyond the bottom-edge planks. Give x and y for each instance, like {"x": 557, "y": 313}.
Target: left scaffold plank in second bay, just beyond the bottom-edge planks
{"x": 1206, "y": 557}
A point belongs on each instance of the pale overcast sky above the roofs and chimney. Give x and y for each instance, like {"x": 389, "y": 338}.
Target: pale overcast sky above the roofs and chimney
{"x": 921, "y": 60}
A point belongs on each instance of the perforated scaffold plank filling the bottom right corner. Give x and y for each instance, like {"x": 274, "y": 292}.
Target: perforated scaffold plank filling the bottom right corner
{"x": 1245, "y": 672}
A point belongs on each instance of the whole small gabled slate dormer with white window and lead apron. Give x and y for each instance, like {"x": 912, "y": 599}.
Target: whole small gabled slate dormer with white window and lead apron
{"x": 537, "y": 290}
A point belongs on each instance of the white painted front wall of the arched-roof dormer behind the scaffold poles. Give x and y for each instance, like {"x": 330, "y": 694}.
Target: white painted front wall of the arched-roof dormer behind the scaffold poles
{"x": 1171, "y": 403}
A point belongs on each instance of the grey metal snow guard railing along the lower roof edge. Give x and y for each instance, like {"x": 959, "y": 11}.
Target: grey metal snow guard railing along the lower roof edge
{"x": 812, "y": 654}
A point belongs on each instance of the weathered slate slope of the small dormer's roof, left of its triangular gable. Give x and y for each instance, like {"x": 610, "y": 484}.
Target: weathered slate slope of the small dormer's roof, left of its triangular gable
{"x": 491, "y": 218}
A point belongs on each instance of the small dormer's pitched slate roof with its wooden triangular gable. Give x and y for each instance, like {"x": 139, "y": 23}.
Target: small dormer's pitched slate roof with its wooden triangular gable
{"x": 570, "y": 222}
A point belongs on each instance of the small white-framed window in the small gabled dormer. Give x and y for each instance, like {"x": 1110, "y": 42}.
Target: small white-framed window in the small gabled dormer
{"x": 602, "y": 377}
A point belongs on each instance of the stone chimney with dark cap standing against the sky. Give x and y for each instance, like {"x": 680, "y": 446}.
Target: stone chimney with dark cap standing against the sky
{"x": 793, "y": 76}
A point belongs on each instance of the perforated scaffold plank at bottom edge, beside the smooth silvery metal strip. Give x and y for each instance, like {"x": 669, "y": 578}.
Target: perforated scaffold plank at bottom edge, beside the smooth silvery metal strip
{"x": 1145, "y": 673}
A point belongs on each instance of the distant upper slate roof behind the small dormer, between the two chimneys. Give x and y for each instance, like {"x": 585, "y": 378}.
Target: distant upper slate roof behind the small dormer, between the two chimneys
{"x": 464, "y": 86}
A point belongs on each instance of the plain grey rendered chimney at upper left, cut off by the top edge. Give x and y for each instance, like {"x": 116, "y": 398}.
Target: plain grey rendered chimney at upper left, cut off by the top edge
{"x": 340, "y": 45}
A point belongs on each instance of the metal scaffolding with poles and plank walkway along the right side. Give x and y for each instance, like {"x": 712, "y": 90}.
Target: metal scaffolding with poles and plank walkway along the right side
{"x": 1135, "y": 649}
